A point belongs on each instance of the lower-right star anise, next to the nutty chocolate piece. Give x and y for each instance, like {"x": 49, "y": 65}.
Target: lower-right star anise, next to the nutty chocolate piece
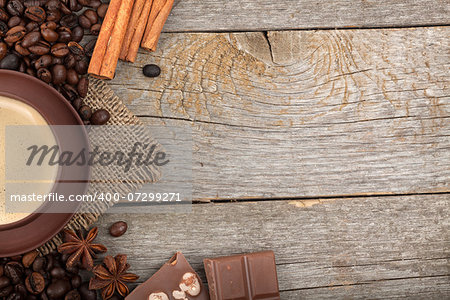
{"x": 112, "y": 276}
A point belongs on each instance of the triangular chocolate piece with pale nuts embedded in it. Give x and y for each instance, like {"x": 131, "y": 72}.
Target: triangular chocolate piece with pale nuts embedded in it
{"x": 176, "y": 280}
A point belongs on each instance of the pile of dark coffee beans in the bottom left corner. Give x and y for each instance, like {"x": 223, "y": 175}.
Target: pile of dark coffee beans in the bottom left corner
{"x": 30, "y": 277}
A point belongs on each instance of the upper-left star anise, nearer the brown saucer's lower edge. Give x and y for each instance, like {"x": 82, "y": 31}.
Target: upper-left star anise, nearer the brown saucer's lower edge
{"x": 81, "y": 248}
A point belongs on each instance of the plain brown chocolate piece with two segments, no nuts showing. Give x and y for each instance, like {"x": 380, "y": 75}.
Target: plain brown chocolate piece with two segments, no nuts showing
{"x": 248, "y": 276}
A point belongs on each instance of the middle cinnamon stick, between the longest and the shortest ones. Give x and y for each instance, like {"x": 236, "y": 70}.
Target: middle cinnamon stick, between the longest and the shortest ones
{"x": 135, "y": 31}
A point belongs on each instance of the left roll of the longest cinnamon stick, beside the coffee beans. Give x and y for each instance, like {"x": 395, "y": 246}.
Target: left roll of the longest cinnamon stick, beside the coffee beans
{"x": 104, "y": 37}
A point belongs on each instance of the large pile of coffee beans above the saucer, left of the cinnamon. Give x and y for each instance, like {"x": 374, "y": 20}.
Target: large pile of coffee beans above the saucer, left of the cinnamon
{"x": 42, "y": 38}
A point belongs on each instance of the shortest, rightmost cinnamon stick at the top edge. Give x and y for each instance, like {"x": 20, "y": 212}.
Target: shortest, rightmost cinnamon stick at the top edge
{"x": 158, "y": 15}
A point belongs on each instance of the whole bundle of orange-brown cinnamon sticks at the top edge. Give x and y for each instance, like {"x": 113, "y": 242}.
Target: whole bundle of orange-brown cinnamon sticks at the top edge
{"x": 128, "y": 24}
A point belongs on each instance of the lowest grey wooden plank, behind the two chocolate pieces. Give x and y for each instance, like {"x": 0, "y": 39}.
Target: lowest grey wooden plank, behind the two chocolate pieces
{"x": 372, "y": 248}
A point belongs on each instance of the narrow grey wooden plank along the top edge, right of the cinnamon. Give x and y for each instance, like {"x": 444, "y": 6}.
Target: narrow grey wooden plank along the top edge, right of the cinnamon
{"x": 251, "y": 15}
